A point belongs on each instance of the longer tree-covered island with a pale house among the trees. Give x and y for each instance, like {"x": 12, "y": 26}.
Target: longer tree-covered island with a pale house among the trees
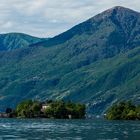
{"x": 47, "y": 109}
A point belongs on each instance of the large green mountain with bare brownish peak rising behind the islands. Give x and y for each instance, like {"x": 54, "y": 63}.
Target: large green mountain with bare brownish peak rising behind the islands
{"x": 96, "y": 62}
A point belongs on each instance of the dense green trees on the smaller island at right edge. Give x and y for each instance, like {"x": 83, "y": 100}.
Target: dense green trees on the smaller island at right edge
{"x": 123, "y": 111}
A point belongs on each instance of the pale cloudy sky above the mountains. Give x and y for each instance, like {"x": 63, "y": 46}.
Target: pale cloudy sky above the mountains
{"x": 47, "y": 18}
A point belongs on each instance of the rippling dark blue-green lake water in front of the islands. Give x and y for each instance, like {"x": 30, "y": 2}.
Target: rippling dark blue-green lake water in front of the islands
{"x": 45, "y": 129}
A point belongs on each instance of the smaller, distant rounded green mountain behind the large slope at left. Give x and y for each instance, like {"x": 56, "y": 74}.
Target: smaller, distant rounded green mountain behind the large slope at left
{"x": 12, "y": 41}
